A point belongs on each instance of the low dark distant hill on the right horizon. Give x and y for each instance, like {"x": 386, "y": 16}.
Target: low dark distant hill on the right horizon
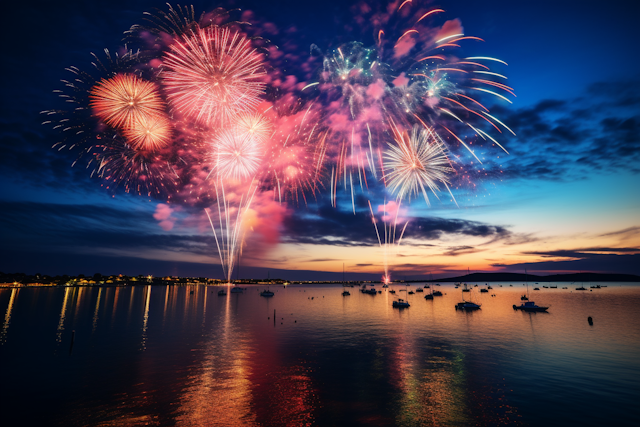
{"x": 518, "y": 277}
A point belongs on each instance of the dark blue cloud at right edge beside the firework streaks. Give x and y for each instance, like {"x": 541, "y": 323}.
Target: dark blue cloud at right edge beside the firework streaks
{"x": 559, "y": 140}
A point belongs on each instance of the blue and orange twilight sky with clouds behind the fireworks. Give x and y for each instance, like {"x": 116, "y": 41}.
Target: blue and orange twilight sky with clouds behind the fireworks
{"x": 566, "y": 199}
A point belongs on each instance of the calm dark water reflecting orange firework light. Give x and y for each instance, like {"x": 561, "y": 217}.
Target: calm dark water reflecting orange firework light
{"x": 157, "y": 355}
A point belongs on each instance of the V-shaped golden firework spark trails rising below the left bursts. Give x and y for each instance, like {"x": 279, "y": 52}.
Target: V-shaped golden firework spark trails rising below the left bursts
{"x": 230, "y": 235}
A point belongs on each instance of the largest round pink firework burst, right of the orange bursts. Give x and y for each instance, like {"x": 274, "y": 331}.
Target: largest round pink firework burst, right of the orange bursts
{"x": 212, "y": 75}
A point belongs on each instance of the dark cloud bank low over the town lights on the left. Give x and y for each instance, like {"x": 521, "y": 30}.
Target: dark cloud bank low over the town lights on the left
{"x": 73, "y": 228}
